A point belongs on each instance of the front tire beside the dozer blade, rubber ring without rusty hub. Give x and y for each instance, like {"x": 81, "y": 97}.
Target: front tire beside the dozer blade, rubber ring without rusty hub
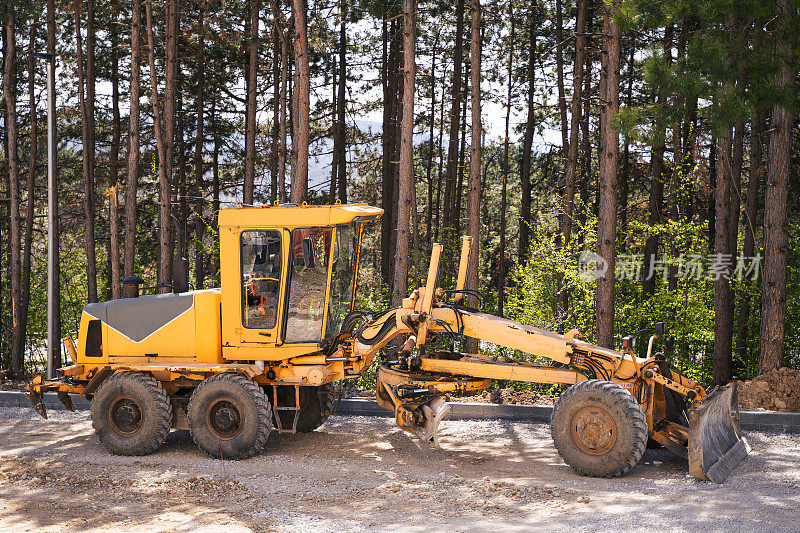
{"x": 631, "y": 438}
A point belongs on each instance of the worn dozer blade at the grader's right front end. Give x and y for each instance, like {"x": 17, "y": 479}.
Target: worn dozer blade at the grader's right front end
{"x": 716, "y": 445}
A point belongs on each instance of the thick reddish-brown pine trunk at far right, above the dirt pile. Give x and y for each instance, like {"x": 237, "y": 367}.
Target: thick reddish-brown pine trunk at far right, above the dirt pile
{"x": 776, "y": 239}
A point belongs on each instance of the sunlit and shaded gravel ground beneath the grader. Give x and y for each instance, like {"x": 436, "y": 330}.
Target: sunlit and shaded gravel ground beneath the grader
{"x": 357, "y": 474}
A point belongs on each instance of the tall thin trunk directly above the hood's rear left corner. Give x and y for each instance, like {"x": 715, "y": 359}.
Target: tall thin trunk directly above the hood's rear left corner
{"x": 87, "y": 142}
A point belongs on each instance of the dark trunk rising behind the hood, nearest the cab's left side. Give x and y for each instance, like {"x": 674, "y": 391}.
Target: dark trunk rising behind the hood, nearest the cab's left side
{"x": 199, "y": 222}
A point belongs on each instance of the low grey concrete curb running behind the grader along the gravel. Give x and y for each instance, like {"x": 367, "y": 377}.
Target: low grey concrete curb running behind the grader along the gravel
{"x": 750, "y": 420}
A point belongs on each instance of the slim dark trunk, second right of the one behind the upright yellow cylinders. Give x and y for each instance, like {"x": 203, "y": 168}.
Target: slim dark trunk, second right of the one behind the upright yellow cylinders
{"x": 525, "y": 214}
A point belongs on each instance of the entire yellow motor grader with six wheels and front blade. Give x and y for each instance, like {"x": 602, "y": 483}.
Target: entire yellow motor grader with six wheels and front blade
{"x": 262, "y": 352}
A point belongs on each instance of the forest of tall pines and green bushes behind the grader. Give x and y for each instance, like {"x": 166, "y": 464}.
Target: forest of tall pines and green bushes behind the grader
{"x": 620, "y": 162}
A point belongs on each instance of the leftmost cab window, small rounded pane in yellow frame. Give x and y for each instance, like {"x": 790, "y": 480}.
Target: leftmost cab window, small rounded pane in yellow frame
{"x": 261, "y": 276}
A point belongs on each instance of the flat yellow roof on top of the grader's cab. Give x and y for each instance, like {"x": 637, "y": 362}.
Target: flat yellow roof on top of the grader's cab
{"x": 292, "y": 215}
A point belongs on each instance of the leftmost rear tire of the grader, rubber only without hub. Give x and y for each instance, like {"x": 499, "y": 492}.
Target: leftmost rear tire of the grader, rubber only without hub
{"x": 154, "y": 404}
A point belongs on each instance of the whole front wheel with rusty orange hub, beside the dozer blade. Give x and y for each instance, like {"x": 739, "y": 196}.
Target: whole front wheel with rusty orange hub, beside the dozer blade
{"x": 599, "y": 429}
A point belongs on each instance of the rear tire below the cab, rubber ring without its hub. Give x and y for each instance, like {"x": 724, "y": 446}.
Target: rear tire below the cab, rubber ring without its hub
{"x": 256, "y": 416}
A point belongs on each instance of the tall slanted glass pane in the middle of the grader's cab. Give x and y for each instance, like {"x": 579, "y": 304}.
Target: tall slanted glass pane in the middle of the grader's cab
{"x": 309, "y": 279}
